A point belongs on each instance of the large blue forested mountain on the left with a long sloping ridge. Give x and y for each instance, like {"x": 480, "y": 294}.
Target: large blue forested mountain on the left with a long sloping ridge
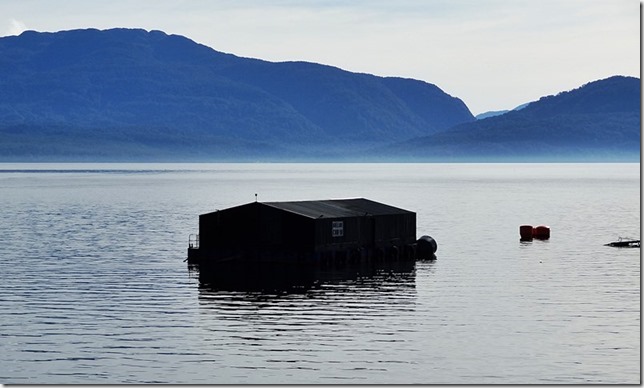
{"x": 135, "y": 95}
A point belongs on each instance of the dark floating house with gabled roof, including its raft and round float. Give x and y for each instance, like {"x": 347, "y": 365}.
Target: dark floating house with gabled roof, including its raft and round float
{"x": 318, "y": 232}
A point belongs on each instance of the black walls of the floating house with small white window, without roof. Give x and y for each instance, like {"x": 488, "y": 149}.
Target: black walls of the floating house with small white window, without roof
{"x": 258, "y": 226}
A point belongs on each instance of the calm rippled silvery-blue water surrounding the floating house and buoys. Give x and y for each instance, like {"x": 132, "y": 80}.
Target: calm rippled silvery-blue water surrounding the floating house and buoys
{"x": 95, "y": 289}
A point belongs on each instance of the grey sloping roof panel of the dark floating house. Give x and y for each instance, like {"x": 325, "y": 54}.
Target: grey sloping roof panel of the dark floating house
{"x": 337, "y": 208}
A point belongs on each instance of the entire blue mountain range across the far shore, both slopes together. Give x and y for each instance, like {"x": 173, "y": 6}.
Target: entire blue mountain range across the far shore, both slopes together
{"x": 136, "y": 95}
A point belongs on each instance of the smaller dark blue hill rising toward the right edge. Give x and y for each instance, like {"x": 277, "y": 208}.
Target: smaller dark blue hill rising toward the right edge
{"x": 599, "y": 121}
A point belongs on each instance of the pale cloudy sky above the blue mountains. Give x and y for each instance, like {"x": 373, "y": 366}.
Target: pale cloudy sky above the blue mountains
{"x": 492, "y": 54}
